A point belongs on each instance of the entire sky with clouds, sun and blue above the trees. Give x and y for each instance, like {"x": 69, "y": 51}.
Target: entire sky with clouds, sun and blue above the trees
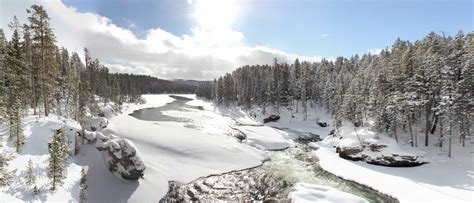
{"x": 203, "y": 39}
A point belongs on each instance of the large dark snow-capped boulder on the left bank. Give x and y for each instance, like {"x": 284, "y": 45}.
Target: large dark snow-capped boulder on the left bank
{"x": 122, "y": 157}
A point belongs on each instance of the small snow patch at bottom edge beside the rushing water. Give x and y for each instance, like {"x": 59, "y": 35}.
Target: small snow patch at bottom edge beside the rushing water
{"x": 305, "y": 192}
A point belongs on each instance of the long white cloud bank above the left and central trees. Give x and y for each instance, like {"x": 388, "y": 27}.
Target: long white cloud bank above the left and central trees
{"x": 204, "y": 54}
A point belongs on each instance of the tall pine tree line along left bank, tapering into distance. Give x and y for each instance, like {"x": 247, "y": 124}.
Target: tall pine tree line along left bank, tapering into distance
{"x": 36, "y": 73}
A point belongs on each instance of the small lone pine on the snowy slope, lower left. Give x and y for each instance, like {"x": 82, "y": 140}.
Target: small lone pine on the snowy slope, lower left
{"x": 58, "y": 154}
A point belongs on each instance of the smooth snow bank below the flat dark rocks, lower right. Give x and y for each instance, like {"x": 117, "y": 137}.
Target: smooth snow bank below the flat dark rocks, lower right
{"x": 442, "y": 180}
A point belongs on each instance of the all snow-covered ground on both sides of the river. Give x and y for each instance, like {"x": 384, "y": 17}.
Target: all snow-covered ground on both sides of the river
{"x": 172, "y": 151}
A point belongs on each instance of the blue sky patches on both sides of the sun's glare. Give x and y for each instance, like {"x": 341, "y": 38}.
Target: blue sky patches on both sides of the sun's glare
{"x": 319, "y": 27}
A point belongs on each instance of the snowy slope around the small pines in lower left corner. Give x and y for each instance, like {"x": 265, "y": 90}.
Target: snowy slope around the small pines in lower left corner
{"x": 38, "y": 132}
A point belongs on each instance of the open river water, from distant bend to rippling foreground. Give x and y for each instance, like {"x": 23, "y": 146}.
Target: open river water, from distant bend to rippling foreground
{"x": 273, "y": 180}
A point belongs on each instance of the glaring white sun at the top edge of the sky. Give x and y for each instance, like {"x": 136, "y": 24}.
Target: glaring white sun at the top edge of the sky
{"x": 215, "y": 14}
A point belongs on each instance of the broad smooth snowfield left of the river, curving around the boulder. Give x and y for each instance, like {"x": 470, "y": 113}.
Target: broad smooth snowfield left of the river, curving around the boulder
{"x": 170, "y": 152}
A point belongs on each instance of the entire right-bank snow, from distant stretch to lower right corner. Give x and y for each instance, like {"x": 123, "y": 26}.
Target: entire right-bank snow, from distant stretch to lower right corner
{"x": 443, "y": 179}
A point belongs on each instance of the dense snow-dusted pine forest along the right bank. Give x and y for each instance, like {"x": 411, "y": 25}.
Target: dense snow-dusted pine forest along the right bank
{"x": 430, "y": 81}
